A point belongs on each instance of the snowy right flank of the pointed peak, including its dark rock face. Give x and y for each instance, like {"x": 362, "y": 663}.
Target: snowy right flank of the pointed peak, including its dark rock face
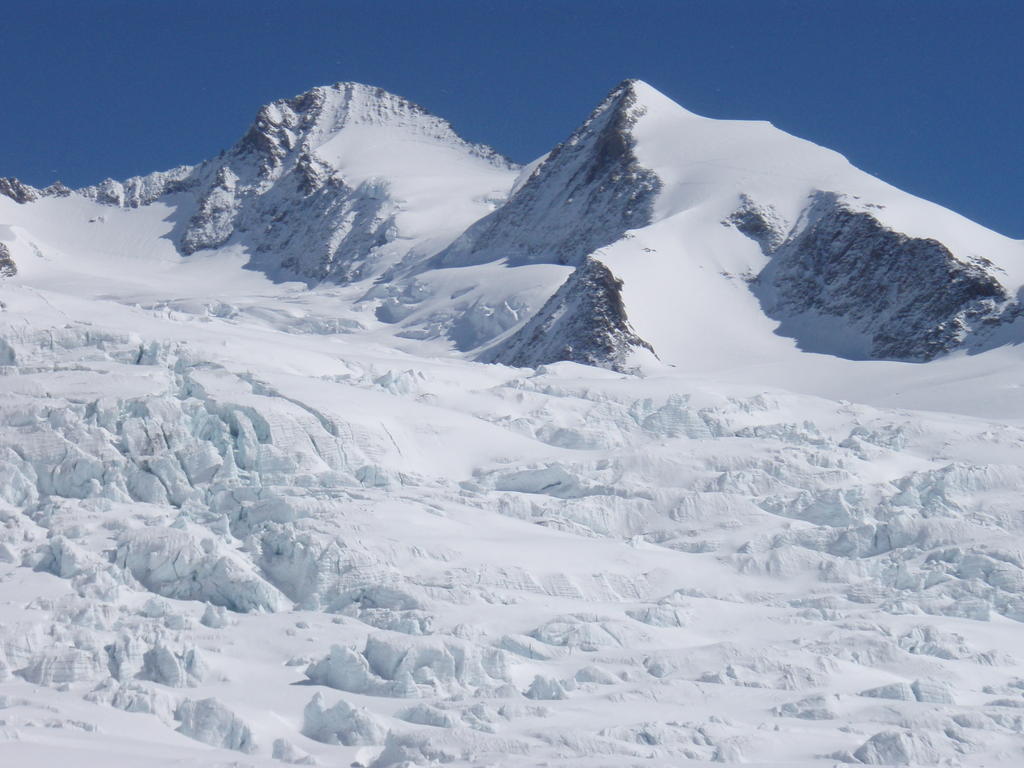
{"x": 751, "y": 222}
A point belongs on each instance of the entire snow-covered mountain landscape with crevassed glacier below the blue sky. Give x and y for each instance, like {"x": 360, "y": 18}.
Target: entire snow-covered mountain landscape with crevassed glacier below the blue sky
{"x": 360, "y": 445}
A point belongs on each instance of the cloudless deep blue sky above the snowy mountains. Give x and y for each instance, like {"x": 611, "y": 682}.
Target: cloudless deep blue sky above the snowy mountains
{"x": 928, "y": 95}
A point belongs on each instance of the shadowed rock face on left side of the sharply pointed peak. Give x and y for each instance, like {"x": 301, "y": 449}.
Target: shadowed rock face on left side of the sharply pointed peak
{"x": 585, "y": 195}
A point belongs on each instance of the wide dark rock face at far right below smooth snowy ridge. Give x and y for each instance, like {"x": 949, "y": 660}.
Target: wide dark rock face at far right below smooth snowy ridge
{"x": 891, "y": 296}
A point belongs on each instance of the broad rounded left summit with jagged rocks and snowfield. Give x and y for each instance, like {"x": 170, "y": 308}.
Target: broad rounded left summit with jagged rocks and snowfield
{"x": 321, "y": 186}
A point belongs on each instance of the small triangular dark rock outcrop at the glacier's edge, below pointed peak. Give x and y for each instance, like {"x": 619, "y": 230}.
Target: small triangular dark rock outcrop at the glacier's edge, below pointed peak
{"x": 585, "y": 322}
